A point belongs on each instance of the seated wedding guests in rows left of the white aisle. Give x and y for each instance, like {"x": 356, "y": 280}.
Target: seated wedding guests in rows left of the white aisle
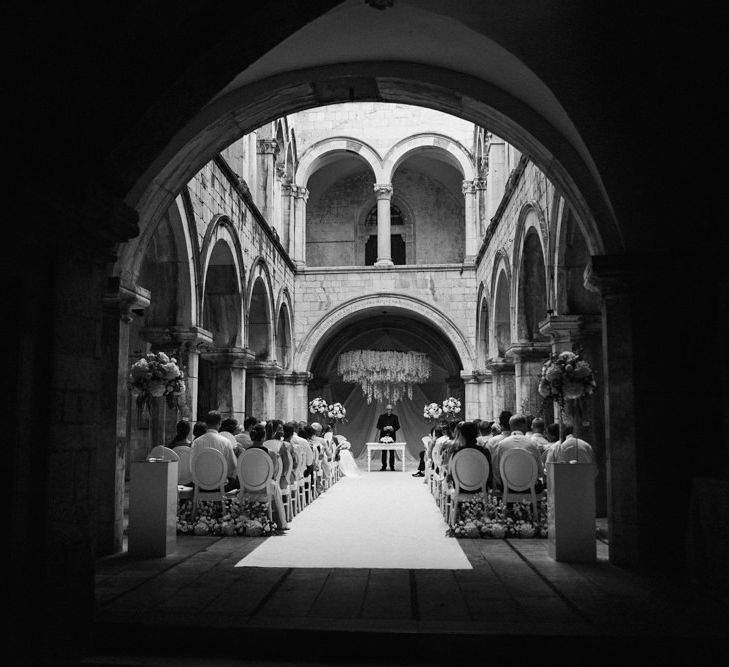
{"x": 303, "y": 441}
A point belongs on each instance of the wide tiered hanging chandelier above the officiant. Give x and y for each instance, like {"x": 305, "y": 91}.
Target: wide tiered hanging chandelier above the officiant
{"x": 384, "y": 374}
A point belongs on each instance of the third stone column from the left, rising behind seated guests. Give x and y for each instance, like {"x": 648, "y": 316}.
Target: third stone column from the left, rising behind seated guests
{"x": 228, "y": 390}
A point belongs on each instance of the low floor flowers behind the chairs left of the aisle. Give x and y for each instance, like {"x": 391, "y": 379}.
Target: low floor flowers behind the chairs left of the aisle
{"x": 229, "y": 518}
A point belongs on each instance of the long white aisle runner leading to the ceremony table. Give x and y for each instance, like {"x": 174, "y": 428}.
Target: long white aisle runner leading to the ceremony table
{"x": 380, "y": 520}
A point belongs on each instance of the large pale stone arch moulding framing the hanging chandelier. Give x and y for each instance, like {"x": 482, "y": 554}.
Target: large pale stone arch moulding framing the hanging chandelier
{"x": 354, "y": 308}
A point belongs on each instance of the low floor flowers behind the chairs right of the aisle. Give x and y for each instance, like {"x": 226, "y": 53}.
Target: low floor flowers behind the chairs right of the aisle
{"x": 490, "y": 519}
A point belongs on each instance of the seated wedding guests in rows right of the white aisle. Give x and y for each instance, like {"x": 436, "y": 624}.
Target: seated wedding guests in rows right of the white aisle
{"x": 512, "y": 431}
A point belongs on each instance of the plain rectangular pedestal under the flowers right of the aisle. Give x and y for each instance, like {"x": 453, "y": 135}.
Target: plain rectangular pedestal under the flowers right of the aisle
{"x": 571, "y": 512}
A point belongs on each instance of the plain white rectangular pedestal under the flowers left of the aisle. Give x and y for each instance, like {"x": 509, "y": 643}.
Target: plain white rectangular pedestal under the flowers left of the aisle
{"x": 153, "y": 508}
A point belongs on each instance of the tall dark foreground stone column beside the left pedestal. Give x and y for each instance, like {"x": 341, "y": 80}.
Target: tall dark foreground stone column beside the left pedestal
{"x": 119, "y": 302}
